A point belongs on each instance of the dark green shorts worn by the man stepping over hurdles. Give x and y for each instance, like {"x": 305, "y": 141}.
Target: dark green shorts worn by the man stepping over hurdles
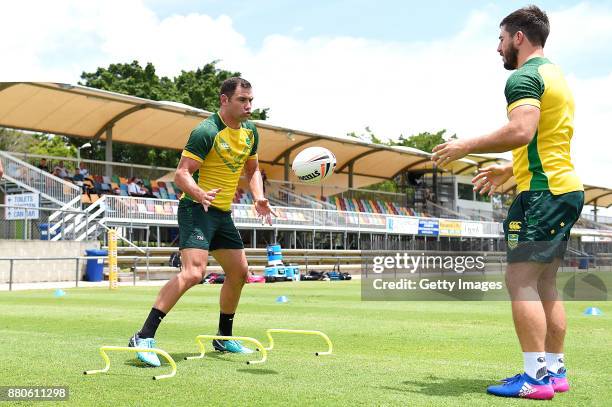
{"x": 210, "y": 230}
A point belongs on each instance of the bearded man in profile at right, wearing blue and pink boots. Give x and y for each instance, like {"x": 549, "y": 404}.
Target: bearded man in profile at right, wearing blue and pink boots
{"x": 549, "y": 198}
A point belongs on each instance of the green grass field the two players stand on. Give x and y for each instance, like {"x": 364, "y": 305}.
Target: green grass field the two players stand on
{"x": 385, "y": 353}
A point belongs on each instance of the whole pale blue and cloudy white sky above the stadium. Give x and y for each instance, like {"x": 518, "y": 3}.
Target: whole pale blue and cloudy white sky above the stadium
{"x": 332, "y": 67}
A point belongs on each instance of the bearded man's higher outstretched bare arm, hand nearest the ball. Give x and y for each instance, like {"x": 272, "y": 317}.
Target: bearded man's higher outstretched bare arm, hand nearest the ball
{"x": 519, "y": 131}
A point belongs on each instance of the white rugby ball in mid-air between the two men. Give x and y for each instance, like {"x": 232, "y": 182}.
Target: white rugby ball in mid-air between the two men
{"x": 314, "y": 164}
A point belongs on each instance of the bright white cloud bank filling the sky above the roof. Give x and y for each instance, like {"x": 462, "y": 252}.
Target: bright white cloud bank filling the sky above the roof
{"x": 326, "y": 84}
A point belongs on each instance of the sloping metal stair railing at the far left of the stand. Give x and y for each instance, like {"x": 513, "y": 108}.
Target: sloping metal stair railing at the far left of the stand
{"x": 30, "y": 178}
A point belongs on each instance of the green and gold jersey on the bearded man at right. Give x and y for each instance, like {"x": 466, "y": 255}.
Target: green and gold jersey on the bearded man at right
{"x": 544, "y": 163}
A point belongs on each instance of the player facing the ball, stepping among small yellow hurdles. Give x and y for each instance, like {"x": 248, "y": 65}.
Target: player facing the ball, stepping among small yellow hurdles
{"x": 211, "y": 164}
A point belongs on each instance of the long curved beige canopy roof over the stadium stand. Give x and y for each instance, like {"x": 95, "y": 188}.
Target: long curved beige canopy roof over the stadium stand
{"x": 88, "y": 113}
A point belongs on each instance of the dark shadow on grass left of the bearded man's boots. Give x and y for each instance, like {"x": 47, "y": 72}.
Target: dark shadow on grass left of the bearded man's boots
{"x": 442, "y": 386}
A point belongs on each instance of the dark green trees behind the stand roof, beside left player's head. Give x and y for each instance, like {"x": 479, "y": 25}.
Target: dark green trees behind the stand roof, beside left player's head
{"x": 199, "y": 88}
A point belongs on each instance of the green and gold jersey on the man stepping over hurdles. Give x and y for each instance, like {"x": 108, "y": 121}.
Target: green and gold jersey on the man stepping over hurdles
{"x": 222, "y": 153}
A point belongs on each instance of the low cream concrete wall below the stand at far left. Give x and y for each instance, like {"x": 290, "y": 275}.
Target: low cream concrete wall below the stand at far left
{"x": 25, "y": 271}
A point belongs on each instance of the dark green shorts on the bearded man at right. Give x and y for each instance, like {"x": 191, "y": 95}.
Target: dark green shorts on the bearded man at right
{"x": 538, "y": 225}
